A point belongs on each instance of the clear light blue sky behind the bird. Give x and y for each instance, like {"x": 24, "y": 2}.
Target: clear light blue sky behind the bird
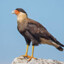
{"x": 50, "y": 13}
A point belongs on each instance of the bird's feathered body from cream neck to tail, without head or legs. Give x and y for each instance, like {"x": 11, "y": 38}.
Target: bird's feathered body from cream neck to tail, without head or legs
{"x": 35, "y": 32}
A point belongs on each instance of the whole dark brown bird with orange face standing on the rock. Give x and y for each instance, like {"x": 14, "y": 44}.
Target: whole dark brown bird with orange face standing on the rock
{"x": 34, "y": 32}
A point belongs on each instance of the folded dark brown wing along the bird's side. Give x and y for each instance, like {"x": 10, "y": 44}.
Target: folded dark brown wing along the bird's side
{"x": 38, "y": 31}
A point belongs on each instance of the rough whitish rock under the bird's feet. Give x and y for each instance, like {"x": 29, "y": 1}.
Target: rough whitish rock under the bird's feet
{"x": 22, "y": 60}
